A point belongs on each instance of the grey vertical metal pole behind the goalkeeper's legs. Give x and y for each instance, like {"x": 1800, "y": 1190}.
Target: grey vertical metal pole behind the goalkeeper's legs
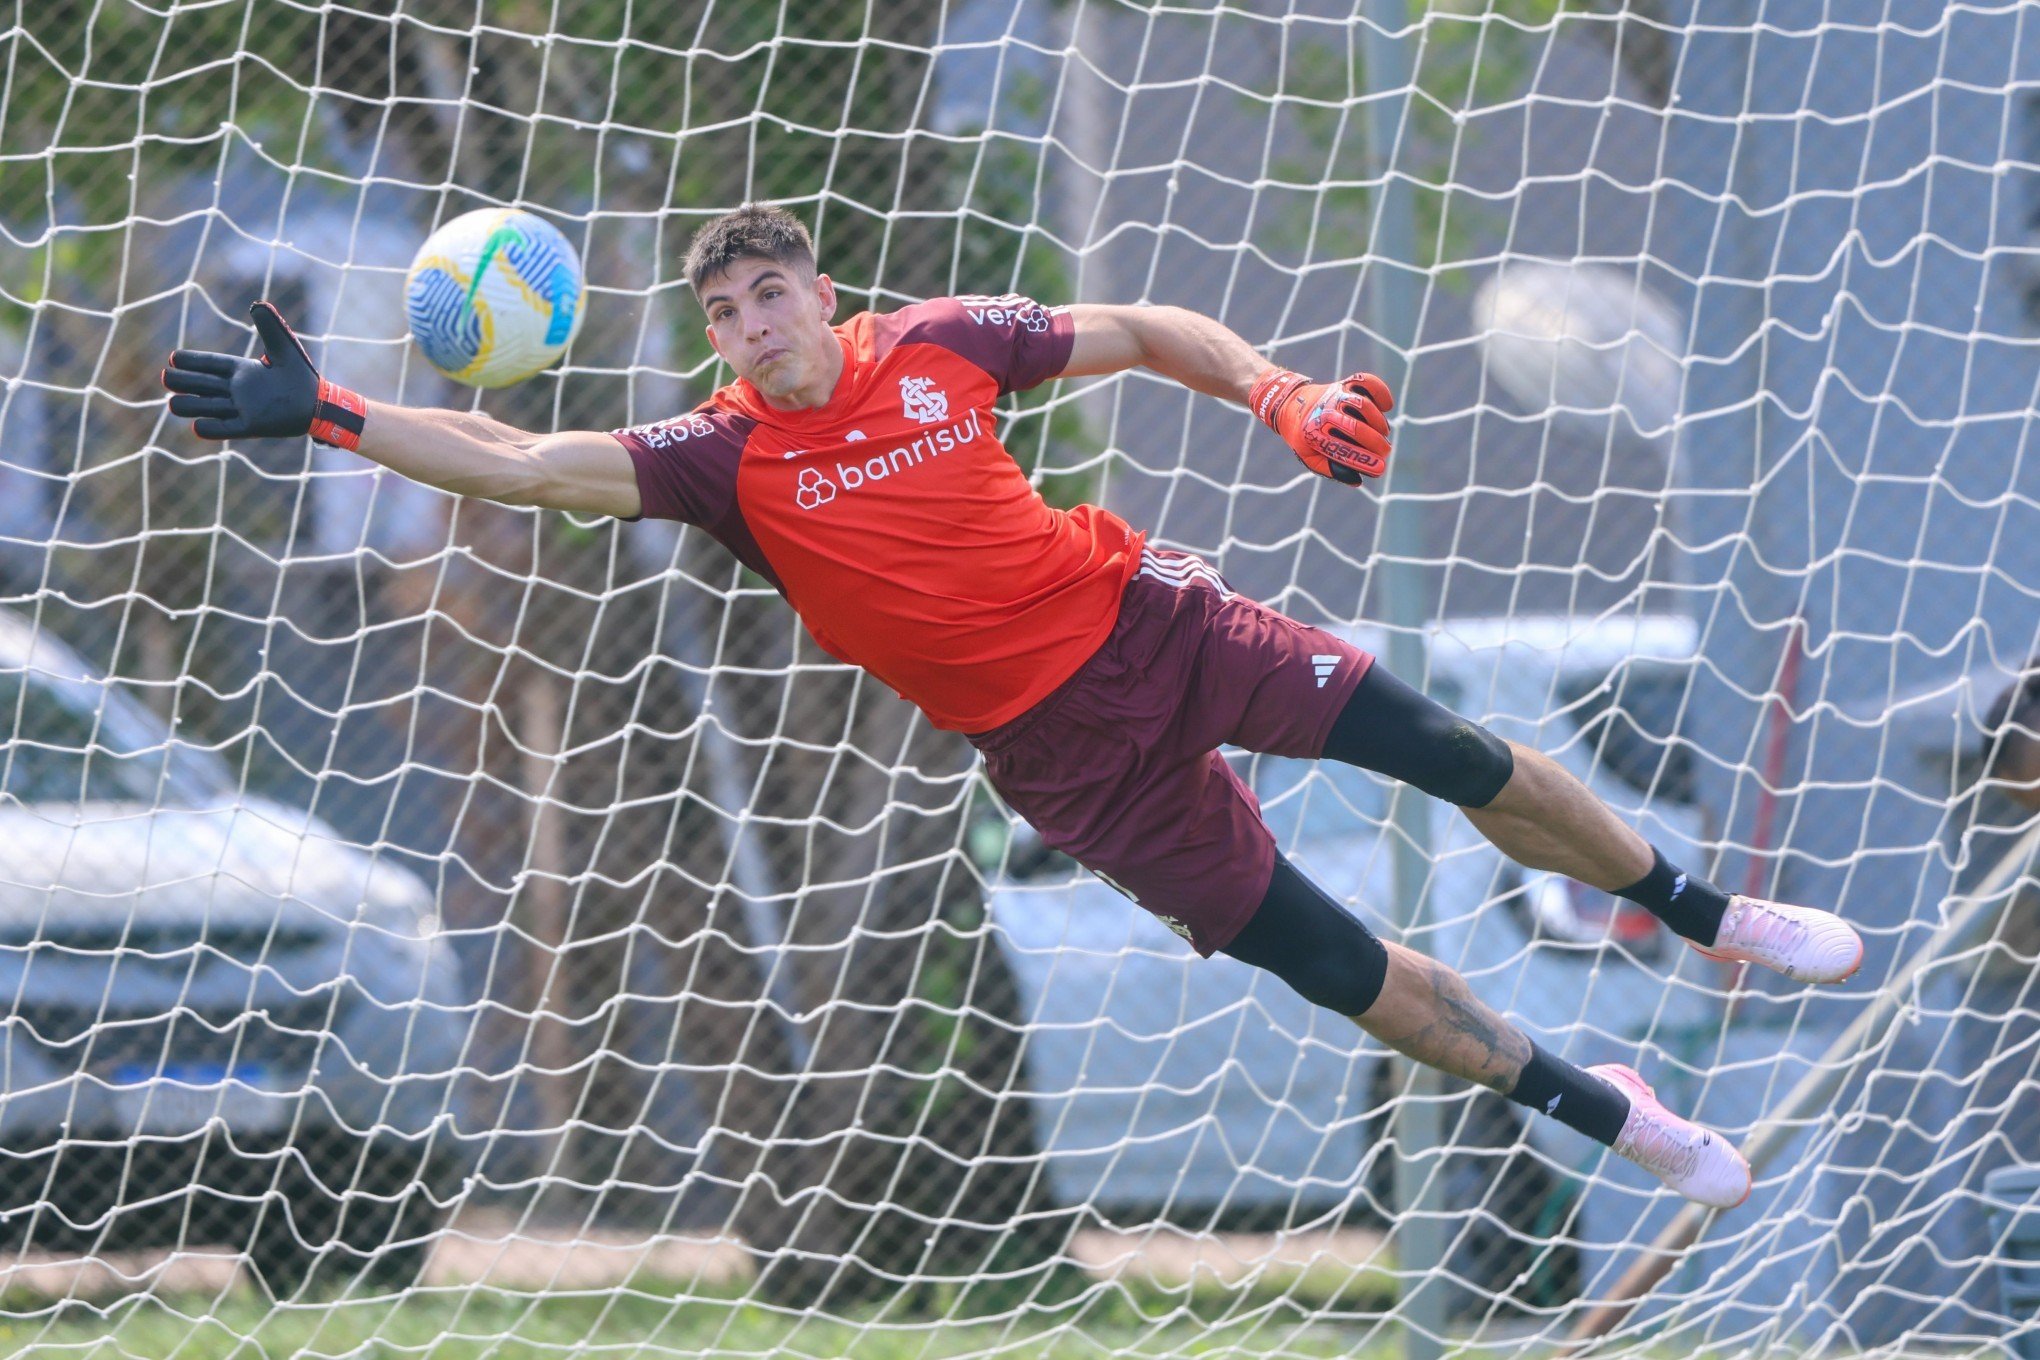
{"x": 1394, "y": 303}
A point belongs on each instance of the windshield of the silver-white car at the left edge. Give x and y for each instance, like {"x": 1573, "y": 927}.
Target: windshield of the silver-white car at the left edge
{"x": 58, "y": 749}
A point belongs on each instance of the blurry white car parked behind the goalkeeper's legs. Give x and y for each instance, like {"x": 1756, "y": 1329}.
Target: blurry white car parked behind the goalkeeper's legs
{"x": 1170, "y": 1084}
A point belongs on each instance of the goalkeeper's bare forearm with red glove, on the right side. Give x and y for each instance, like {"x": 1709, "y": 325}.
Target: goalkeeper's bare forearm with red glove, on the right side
{"x": 1339, "y": 431}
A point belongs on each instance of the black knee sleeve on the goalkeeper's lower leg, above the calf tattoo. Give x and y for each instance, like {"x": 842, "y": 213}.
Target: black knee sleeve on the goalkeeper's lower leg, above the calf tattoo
{"x": 1315, "y": 945}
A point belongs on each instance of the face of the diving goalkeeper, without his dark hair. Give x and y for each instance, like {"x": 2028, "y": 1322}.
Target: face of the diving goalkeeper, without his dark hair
{"x": 770, "y": 323}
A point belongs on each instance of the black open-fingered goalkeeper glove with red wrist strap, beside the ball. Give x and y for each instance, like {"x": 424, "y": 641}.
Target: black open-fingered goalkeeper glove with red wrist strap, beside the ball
{"x": 276, "y": 397}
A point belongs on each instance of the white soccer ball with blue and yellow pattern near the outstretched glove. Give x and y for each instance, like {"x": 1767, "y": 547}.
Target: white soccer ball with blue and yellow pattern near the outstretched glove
{"x": 495, "y": 297}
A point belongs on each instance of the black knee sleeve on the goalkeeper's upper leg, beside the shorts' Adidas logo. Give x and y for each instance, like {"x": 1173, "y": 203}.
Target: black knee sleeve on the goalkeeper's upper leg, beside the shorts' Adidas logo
{"x": 1392, "y": 729}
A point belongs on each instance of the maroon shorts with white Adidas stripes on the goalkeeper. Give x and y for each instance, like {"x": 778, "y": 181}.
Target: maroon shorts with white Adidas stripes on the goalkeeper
{"x": 1119, "y": 768}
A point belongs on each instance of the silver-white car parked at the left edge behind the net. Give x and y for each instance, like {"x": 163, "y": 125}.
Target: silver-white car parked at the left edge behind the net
{"x": 221, "y": 1023}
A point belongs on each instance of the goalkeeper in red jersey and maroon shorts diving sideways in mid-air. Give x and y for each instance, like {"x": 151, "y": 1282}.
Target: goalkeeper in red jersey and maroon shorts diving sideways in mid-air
{"x": 858, "y": 468}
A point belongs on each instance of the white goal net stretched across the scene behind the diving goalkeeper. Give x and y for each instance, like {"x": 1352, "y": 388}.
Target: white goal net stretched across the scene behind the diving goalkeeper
{"x": 515, "y": 927}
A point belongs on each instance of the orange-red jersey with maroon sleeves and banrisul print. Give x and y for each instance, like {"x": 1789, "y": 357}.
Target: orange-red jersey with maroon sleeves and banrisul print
{"x": 895, "y": 521}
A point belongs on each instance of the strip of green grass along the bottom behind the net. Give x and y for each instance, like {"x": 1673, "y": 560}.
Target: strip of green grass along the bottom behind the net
{"x": 460, "y": 1324}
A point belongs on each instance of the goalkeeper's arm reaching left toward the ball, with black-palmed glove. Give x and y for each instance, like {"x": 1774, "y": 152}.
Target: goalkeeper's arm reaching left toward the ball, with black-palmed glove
{"x": 468, "y": 454}
